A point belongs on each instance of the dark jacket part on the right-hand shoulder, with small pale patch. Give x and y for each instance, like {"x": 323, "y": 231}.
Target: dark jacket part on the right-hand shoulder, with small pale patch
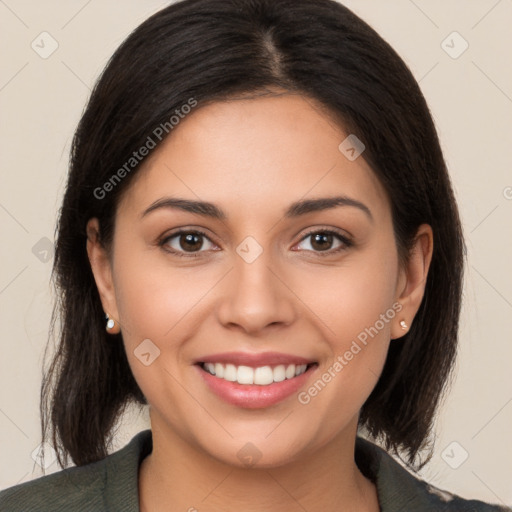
{"x": 399, "y": 490}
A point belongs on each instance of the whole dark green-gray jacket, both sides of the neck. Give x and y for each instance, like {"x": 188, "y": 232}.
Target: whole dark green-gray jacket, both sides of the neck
{"x": 111, "y": 485}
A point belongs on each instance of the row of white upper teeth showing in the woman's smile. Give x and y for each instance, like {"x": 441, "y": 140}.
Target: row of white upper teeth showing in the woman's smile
{"x": 262, "y": 375}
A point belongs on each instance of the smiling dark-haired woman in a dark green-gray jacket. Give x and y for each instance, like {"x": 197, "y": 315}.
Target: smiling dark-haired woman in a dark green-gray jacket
{"x": 259, "y": 213}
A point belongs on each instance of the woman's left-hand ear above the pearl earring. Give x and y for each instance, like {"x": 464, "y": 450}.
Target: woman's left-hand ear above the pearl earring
{"x": 102, "y": 269}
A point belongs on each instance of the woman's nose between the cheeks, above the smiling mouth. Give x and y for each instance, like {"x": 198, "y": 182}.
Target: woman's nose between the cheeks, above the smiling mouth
{"x": 256, "y": 297}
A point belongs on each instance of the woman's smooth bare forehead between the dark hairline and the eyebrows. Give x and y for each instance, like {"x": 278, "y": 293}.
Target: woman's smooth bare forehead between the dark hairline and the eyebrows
{"x": 253, "y": 155}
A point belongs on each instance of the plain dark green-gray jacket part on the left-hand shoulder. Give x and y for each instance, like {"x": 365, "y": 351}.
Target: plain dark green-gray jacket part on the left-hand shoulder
{"x": 109, "y": 484}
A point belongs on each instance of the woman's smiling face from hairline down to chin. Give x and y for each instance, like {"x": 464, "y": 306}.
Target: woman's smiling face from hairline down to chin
{"x": 274, "y": 284}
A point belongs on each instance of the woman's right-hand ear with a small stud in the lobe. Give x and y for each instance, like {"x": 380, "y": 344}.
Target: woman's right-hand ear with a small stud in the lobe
{"x": 412, "y": 280}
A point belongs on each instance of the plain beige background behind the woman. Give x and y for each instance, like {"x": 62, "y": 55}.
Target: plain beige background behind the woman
{"x": 471, "y": 99}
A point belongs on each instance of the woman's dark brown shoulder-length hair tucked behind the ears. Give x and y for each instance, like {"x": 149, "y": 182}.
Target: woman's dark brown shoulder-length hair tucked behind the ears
{"x": 210, "y": 50}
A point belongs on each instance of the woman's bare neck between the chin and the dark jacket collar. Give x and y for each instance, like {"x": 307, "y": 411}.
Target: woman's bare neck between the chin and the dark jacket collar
{"x": 179, "y": 477}
